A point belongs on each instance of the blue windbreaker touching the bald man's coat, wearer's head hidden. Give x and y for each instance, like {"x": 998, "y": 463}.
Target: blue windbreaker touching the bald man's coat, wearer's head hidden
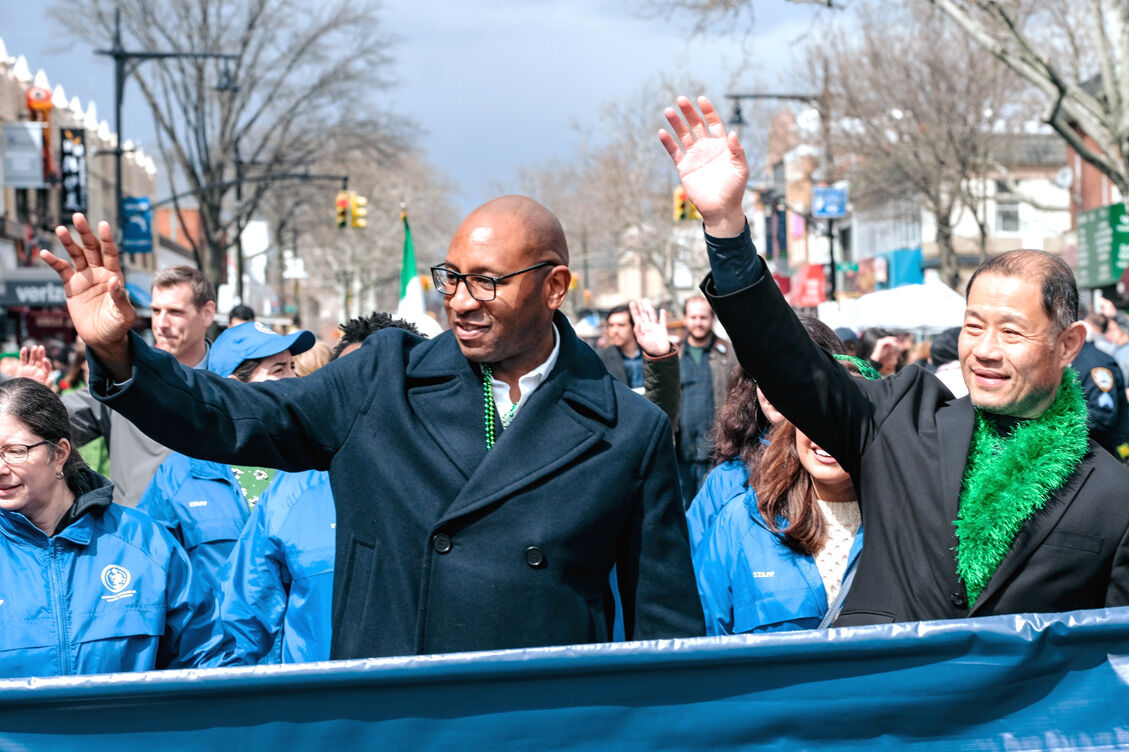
{"x": 279, "y": 580}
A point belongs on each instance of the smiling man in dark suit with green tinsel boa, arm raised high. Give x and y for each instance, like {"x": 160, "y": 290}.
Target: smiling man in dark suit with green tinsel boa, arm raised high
{"x": 995, "y": 503}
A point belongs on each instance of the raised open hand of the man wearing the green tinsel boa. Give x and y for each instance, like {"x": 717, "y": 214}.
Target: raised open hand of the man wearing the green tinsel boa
{"x": 712, "y": 165}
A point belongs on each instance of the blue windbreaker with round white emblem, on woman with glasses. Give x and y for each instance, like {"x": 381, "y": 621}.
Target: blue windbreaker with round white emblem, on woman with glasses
{"x": 111, "y": 592}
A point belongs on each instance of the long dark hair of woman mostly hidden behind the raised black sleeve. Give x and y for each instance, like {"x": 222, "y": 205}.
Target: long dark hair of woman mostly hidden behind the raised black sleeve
{"x": 740, "y": 422}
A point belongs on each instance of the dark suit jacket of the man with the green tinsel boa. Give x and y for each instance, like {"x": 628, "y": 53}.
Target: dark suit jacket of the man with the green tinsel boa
{"x": 905, "y": 441}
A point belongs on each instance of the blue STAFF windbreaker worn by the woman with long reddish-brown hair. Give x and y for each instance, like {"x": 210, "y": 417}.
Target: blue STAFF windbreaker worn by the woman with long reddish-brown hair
{"x": 749, "y": 581}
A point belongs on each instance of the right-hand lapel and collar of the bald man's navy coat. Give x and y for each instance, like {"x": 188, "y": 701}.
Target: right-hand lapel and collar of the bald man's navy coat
{"x": 548, "y": 433}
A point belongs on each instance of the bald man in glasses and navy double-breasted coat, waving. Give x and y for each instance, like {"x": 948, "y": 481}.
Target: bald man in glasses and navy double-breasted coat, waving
{"x": 487, "y": 482}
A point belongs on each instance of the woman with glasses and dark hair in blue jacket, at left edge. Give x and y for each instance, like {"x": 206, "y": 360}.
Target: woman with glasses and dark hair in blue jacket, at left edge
{"x": 86, "y": 587}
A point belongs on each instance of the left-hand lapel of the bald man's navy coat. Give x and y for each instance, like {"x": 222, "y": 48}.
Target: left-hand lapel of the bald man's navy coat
{"x": 445, "y": 395}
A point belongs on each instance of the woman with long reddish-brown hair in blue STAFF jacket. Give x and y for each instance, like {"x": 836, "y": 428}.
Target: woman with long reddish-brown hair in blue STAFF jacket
{"x": 780, "y": 554}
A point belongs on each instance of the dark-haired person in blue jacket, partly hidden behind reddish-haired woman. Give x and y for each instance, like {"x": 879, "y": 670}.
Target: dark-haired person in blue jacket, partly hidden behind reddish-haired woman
{"x": 741, "y": 434}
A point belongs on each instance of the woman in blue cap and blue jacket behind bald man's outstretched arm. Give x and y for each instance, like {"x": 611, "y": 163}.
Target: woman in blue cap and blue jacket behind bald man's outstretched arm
{"x": 207, "y": 504}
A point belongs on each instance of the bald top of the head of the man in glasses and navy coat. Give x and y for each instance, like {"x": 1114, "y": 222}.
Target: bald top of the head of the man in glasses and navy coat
{"x": 531, "y": 226}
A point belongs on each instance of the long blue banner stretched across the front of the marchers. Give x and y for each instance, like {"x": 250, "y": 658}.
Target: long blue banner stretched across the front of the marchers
{"x": 1025, "y": 683}
